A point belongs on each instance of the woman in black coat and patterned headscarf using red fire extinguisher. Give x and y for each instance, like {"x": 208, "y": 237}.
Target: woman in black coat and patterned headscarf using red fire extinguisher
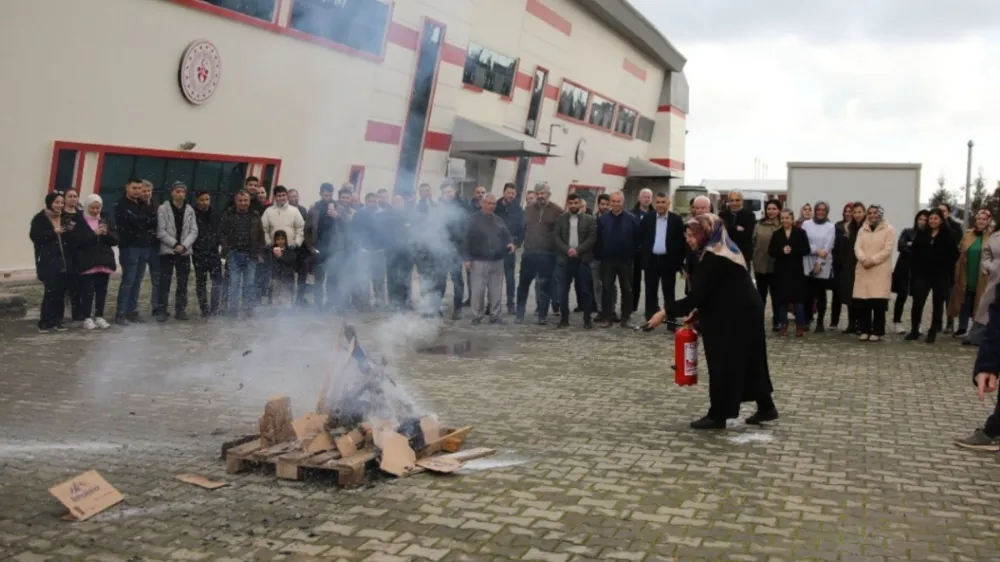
{"x": 730, "y": 314}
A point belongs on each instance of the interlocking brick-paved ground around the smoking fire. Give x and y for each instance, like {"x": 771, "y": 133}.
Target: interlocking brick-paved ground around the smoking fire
{"x": 599, "y": 462}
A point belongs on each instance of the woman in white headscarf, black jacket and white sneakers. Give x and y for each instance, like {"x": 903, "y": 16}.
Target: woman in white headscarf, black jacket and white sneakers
{"x": 95, "y": 261}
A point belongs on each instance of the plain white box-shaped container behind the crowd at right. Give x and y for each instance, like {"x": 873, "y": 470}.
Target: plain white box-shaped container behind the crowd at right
{"x": 896, "y": 187}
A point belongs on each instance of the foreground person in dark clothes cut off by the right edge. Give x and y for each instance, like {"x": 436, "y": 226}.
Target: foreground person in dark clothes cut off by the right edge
{"x": 984, "y": 377}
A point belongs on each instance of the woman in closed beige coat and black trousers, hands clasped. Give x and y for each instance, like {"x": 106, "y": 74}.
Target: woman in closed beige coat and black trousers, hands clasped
{"x": 873, "y": 274}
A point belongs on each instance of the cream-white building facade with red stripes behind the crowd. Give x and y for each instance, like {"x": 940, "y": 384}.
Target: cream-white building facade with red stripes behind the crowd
{"x": 583, "y": 94}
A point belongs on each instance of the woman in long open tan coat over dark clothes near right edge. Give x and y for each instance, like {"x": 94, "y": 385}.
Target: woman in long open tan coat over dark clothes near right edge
{"x": 970, "y": 280}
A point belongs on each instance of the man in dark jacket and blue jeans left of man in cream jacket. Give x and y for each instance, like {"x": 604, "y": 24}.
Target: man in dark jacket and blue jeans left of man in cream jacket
{"x": 241, "y": 234}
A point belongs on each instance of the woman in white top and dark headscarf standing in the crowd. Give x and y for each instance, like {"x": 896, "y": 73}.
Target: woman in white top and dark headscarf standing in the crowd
{"x": 818, "y": 265}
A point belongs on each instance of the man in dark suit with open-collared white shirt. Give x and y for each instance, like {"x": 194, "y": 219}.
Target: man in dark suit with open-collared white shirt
{"x": 663, "y": 250}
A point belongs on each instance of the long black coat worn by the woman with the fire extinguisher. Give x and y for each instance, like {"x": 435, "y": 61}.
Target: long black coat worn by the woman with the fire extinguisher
{"x": 731, "y": 319}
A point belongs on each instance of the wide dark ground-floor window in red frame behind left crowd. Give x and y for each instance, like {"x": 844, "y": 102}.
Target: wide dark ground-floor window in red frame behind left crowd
{"x": 221, "y": 179}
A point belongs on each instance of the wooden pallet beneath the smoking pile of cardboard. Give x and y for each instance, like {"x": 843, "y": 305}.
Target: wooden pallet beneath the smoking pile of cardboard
{"x": 290, "y": 462}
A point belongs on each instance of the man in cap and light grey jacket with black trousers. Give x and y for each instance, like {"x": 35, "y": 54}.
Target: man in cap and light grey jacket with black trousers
{"x": 176, "y": 229}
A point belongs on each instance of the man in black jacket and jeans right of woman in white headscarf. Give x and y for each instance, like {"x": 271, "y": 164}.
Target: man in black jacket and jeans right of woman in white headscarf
{"x": 136, "y": 228}
